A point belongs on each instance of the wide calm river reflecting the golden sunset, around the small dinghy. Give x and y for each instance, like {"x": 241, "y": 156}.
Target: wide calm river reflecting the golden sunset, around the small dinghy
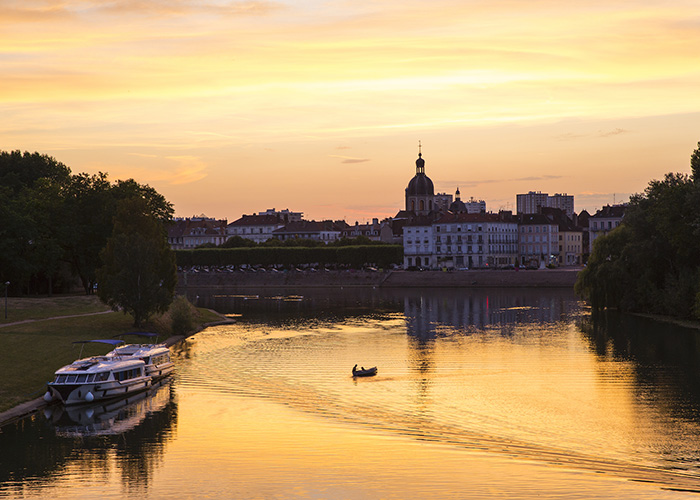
{"x": 488, "y": 393}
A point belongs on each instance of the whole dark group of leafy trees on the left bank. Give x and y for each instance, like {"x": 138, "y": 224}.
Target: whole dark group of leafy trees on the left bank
{"x": 58, "y": 227}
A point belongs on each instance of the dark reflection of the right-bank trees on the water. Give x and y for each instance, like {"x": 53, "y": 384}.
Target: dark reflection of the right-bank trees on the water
{"x": 664, "y": 363}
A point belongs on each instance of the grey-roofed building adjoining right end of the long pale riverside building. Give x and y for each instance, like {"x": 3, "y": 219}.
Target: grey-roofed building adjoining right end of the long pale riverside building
{"x": 538, "y": 239}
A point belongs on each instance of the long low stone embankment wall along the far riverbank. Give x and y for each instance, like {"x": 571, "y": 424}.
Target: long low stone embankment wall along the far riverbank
{"x": 541, "y": 278}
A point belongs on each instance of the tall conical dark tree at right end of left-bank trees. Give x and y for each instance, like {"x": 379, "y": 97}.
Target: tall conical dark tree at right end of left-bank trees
{"x": 138, "y": 274}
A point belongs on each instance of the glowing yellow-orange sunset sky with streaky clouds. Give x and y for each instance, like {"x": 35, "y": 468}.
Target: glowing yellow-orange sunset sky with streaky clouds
{"x": 317, "y": 106}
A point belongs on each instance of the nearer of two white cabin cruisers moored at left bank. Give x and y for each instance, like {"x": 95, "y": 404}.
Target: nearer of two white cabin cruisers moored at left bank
{"x": 98, "y": 378}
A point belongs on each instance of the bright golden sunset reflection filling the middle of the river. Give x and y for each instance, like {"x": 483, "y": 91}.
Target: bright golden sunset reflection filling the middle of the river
{"x": 452, "y": 405}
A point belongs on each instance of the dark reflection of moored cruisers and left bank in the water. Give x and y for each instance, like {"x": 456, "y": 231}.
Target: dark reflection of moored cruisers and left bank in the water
{"x": 125, "y": 435}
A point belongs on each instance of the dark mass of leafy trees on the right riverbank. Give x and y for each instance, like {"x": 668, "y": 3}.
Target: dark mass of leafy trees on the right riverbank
{"x": 651, "y": 262}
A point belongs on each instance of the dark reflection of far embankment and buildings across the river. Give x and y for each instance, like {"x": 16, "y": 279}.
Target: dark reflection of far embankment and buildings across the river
{"x": 427, "y": 311}
